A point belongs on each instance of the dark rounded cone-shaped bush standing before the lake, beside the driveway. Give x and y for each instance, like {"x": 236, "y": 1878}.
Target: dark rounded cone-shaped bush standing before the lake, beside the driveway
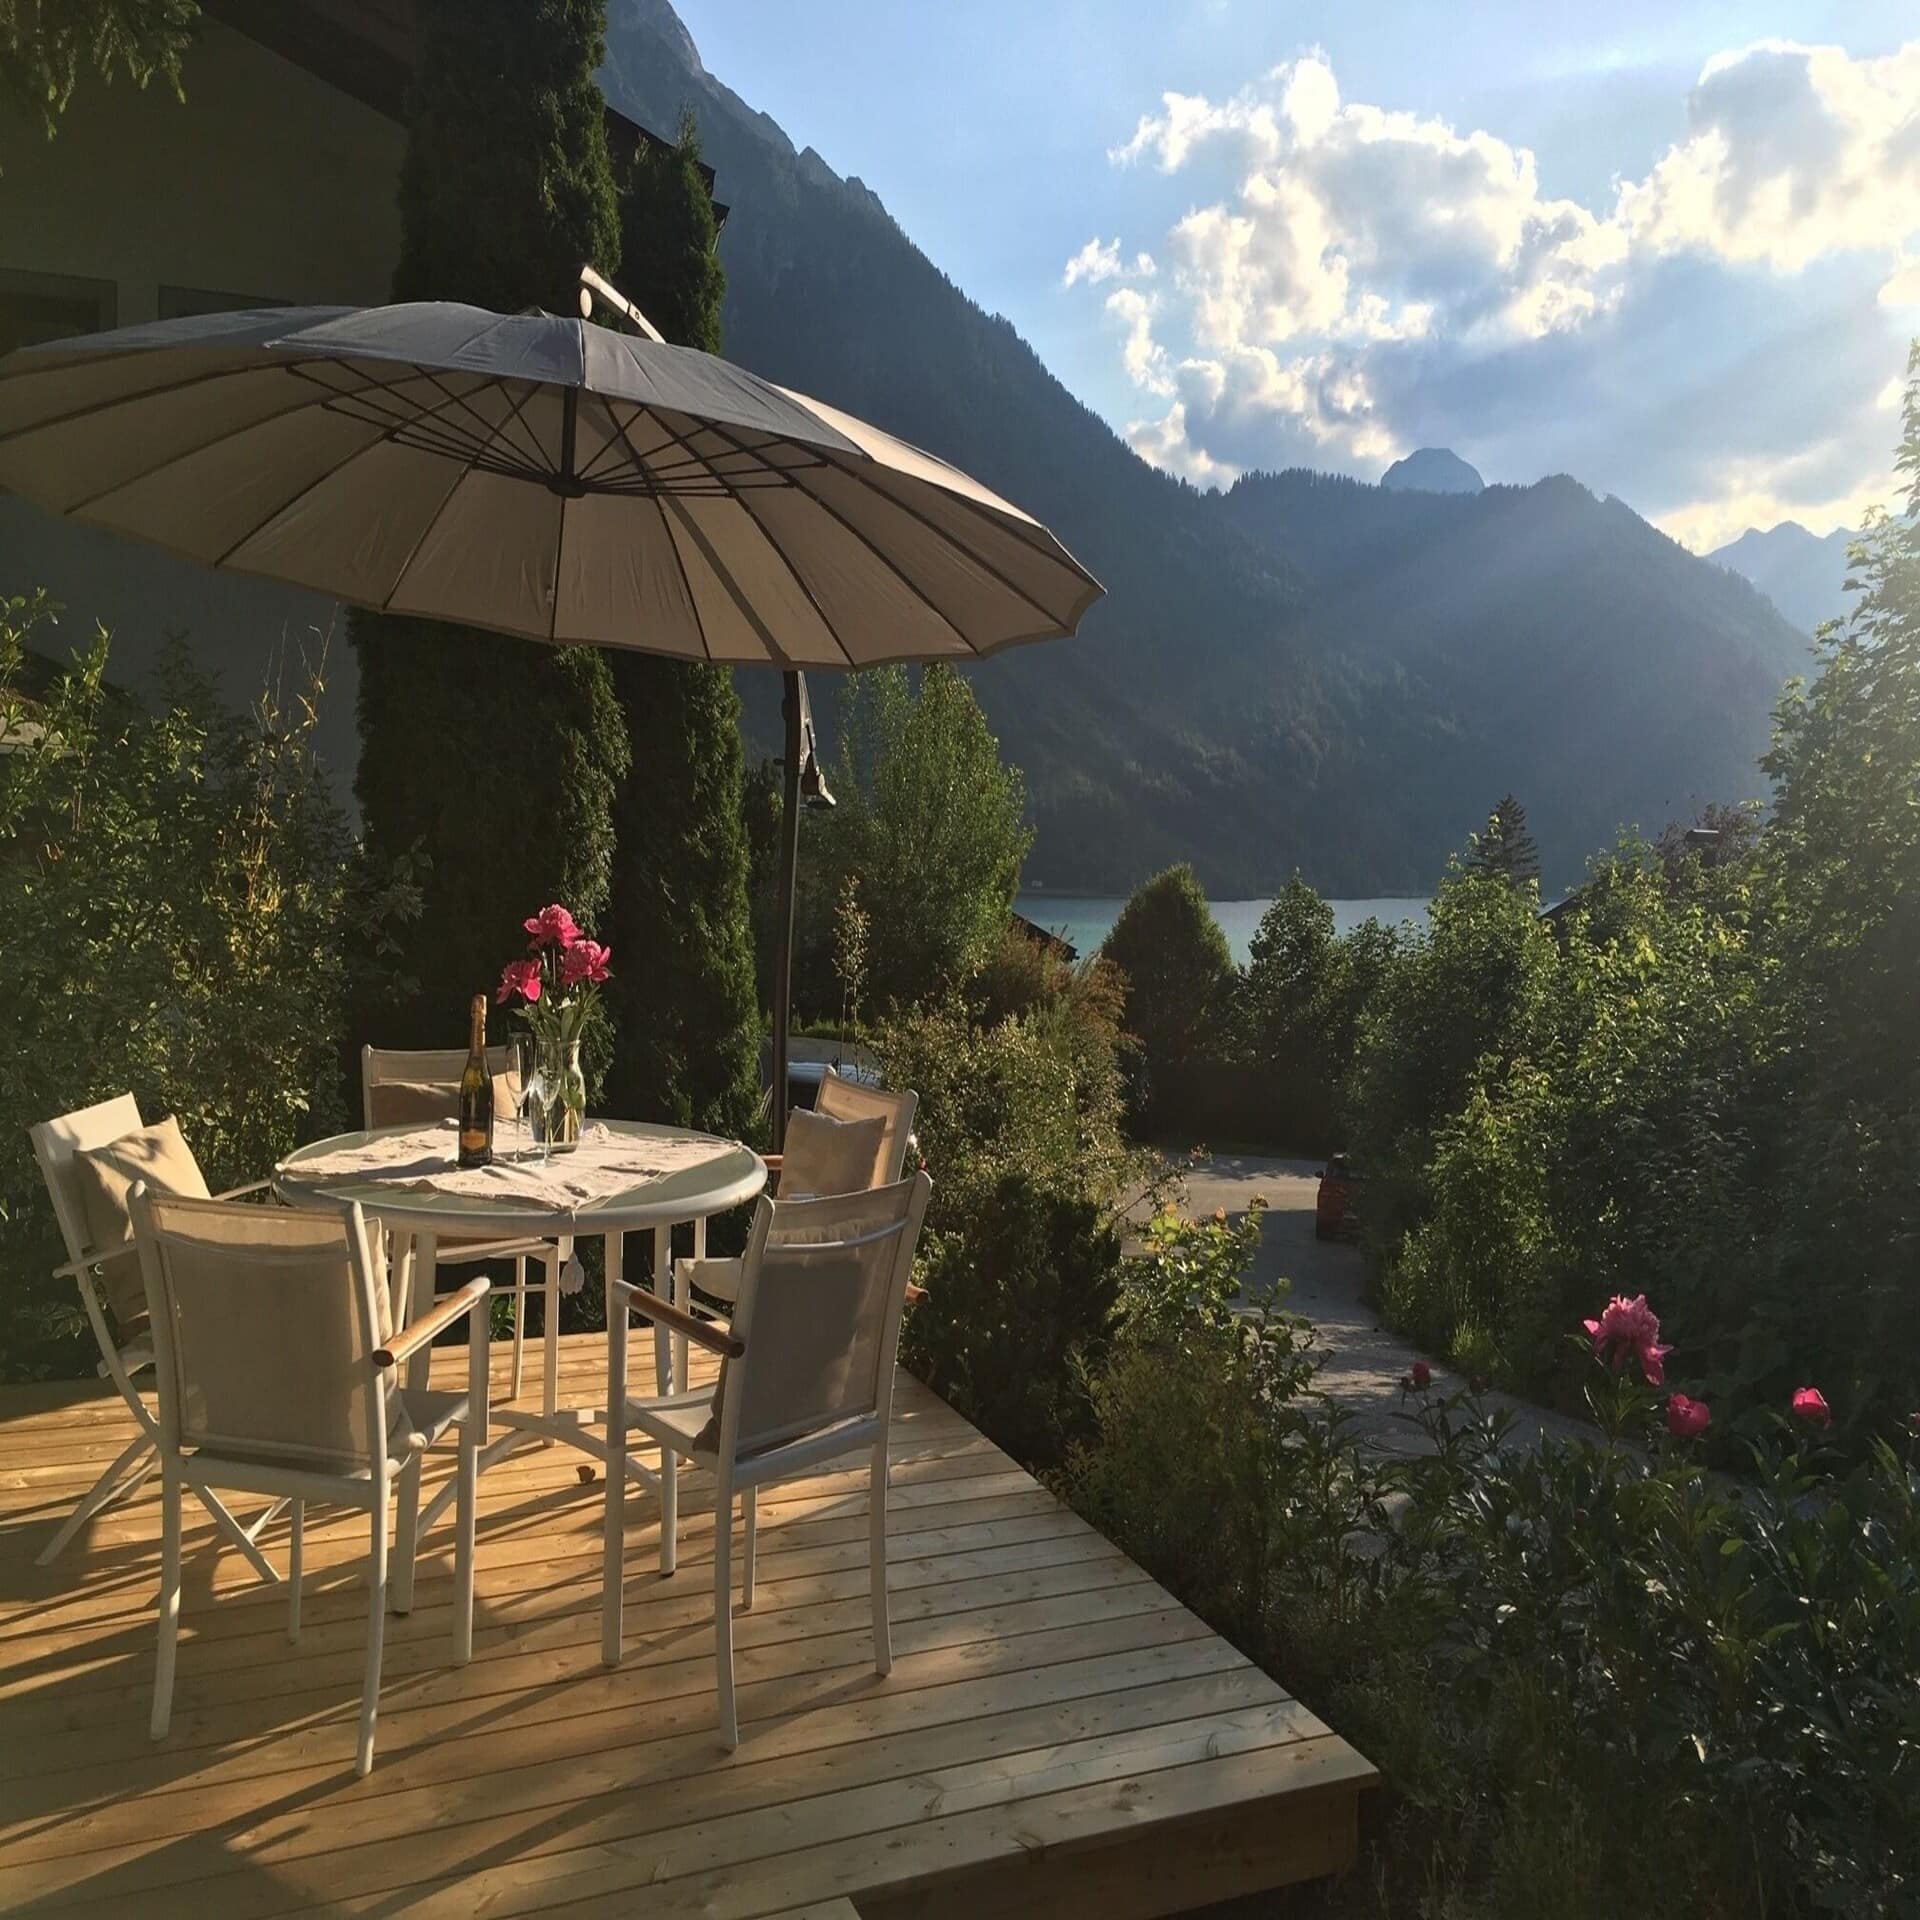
{"x": 1178, "y": 969}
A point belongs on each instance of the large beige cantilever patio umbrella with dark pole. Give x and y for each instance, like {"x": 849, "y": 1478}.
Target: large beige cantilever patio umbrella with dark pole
{"x": 542, "y": 477}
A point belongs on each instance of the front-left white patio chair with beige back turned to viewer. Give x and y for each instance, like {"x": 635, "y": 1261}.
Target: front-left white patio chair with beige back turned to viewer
{"x": 277, "y": 1374}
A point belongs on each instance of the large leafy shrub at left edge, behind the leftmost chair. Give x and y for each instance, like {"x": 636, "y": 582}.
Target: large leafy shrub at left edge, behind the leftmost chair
{"x": 180, "y": 894}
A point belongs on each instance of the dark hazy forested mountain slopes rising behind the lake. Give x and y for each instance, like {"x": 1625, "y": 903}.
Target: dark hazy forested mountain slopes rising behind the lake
{"x": 1301, "y": 675}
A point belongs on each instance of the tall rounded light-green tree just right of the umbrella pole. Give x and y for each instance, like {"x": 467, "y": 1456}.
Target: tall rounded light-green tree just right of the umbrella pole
{"x": 932, "y": 825}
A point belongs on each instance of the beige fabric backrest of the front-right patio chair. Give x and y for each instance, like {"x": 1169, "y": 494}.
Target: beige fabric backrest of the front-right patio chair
{"x": 821, "y": 1297}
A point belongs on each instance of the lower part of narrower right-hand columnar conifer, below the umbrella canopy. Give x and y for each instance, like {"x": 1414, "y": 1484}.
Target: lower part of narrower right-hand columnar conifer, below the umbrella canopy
{"x": 684, "y": 999}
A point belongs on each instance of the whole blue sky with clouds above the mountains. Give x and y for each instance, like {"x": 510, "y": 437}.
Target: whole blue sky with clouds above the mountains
{"x": 1668, "y": 249}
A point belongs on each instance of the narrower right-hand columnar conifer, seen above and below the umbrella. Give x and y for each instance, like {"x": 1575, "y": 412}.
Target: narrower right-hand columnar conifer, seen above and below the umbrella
{"x": 688, "y": 1019}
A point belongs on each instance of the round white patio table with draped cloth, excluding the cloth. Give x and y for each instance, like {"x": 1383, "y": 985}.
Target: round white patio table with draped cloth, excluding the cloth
{"x": 420, "y": 1218}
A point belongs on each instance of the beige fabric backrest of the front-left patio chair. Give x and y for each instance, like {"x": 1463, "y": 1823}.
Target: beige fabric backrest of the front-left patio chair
{"x": 266, "y": 1324}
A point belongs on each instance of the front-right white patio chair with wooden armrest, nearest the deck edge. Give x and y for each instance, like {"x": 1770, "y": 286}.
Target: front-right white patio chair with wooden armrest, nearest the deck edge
{"x": 805, "y": 1378}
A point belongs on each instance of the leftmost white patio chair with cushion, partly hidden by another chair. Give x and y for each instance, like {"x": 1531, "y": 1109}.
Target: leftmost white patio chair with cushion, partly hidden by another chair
{"x": 105, "y": 1266}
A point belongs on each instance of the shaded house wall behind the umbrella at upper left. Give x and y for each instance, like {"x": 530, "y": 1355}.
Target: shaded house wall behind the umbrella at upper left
{"x": 264, "y": 187}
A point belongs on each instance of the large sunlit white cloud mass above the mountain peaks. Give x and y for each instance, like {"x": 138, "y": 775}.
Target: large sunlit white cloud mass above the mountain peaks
{"x": 1345, "y": 264}
